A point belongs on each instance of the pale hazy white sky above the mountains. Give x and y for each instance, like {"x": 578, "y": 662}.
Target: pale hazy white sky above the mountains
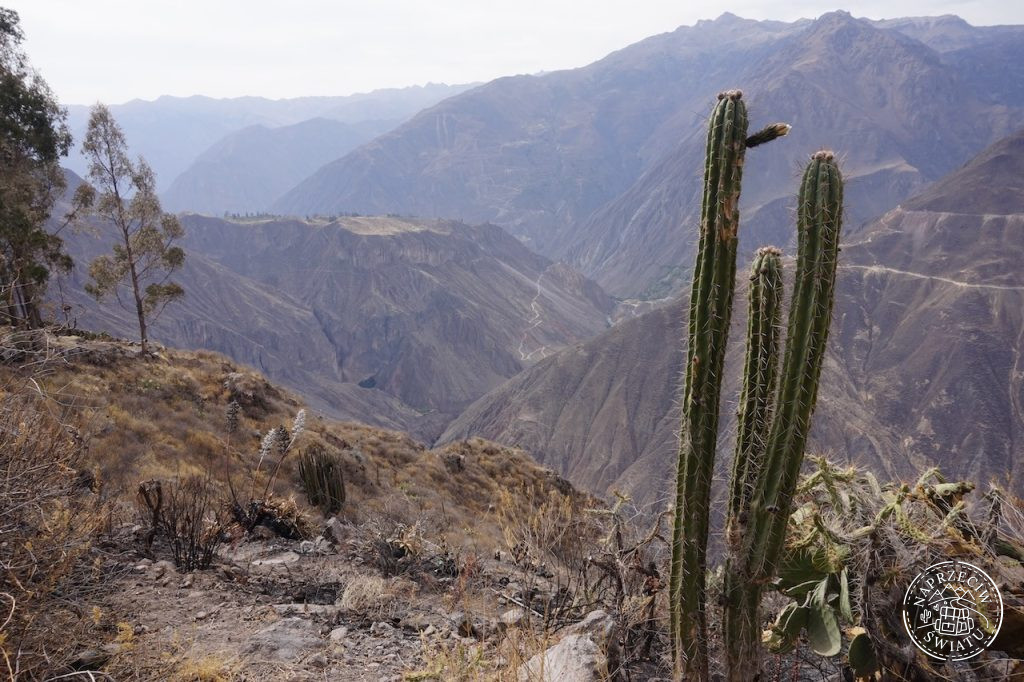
{"x": 114, "y": 51}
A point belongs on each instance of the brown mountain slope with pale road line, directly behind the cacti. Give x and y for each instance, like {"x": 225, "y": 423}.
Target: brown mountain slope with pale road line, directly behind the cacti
{"x": 924, "y": 366}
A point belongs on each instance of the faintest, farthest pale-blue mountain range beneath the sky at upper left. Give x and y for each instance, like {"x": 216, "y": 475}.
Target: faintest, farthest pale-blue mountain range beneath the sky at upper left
{"x": 173, "y": 133}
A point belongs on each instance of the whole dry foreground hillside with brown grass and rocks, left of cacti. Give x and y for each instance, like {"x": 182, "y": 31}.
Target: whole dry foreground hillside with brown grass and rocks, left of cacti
{"x": 363, "y": 596}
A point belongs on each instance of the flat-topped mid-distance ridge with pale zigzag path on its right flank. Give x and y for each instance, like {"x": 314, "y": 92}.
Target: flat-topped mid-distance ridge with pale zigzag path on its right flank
{"x": 393, "y": 322}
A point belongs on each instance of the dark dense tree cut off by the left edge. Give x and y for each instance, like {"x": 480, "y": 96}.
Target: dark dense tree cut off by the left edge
{"x": 33, "y": 138}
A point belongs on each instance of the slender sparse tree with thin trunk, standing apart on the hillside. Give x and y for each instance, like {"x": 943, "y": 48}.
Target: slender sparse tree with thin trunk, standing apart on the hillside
{"x": 145, "y": 257}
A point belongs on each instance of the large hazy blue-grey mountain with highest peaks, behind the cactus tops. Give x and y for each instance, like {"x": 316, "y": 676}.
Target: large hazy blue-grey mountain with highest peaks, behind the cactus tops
{"x": 596, "y": 165}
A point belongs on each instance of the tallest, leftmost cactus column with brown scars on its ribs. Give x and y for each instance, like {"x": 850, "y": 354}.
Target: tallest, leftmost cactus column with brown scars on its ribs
{"x": 711, "y": 308}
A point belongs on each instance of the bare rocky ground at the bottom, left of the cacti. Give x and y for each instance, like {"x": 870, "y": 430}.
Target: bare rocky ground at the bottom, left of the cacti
{"x": 279, "y": 610}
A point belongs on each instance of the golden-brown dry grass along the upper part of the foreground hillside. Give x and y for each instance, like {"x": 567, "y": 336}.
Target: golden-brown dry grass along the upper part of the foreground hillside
{"x": 165, "y": 419}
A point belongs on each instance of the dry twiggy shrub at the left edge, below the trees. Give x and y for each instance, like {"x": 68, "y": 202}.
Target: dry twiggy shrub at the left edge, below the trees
{"x": 48, "y": 521}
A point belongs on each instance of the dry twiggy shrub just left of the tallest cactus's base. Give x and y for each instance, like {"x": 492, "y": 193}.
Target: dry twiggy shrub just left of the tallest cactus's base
{"x": 574, "y": 560}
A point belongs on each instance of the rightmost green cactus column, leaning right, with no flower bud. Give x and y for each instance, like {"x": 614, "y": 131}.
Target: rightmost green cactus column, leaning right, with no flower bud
{"x": 758, "y": 527}
